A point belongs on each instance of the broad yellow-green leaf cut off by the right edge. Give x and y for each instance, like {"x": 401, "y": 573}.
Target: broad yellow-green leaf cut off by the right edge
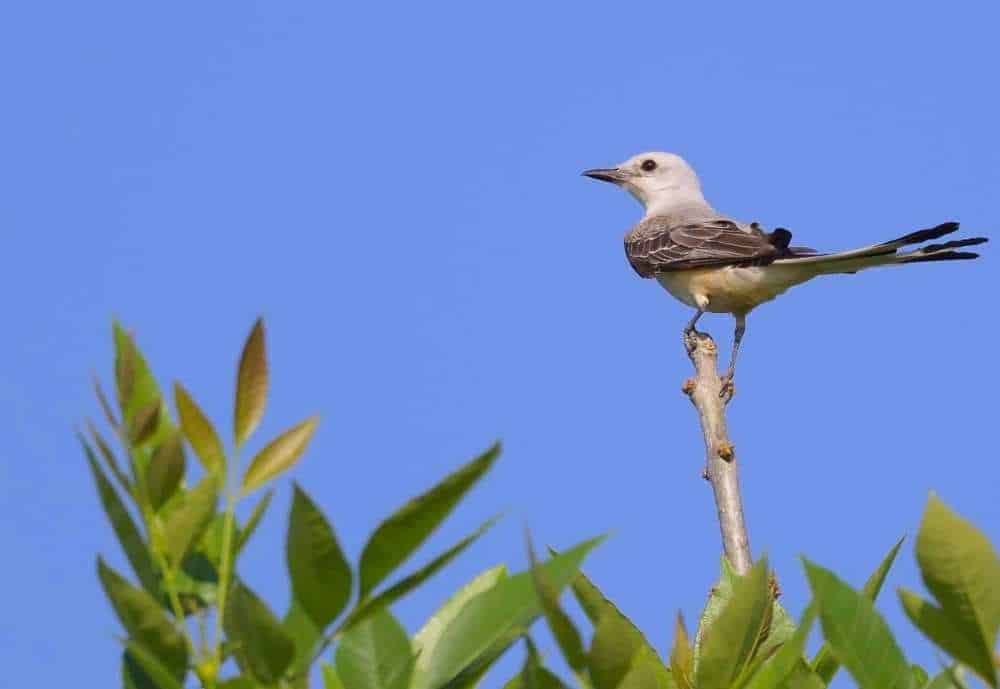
{"x": 962, "y": 570}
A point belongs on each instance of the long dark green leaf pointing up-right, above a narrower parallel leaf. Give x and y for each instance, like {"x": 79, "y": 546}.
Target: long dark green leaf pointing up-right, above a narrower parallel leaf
{"x": 403, "y": 532}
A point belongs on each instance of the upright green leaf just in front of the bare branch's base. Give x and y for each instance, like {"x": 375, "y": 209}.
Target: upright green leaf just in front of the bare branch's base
{"x": 732, "y": 638}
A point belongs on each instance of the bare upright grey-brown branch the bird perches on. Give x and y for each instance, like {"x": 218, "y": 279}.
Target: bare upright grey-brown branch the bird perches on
{"x": 706, "y": 393}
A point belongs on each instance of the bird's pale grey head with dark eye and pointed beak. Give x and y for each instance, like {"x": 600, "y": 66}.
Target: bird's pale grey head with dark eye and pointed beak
{"x": 660, "y": 181}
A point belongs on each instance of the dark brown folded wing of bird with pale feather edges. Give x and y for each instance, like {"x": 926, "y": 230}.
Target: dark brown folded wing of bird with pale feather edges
{"x": 658, "y": 245}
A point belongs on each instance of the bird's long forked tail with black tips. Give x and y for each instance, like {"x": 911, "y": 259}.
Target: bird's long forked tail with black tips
{"x": 888, "y": 253}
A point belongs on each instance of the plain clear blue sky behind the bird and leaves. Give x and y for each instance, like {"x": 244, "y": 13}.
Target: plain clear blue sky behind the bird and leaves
{"x": 395, "y": 187}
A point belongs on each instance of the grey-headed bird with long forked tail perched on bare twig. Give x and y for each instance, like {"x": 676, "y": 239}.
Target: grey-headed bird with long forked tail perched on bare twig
{"x": 716, "y": 264}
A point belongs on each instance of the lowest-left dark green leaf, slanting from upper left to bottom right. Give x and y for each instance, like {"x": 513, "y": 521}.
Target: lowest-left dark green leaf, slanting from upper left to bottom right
{"x": 147, "y": 625}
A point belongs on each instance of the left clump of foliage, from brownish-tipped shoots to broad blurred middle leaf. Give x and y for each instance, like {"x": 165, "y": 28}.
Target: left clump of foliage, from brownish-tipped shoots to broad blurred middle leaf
{"x": 190, "y": 612}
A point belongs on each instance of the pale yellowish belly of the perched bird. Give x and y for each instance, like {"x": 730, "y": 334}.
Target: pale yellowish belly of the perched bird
{"x": 730, "y": 289}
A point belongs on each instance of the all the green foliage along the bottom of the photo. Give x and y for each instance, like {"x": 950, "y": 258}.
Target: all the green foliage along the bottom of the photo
{"x": 184, "y": 551}
